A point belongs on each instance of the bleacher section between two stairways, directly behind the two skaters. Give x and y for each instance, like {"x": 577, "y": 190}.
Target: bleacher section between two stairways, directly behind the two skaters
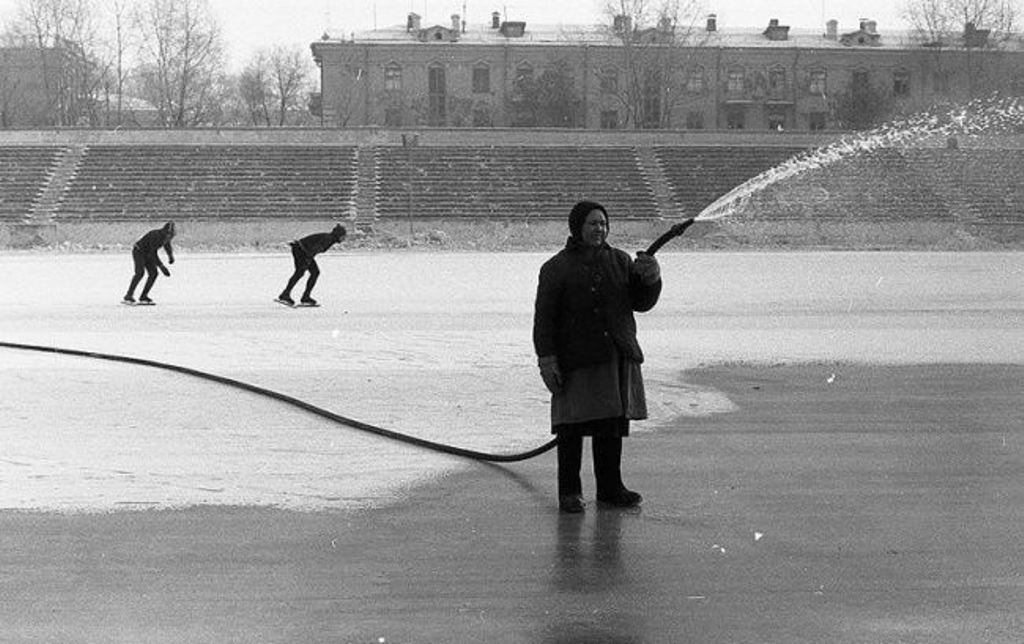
{"x": 127, "y": 183}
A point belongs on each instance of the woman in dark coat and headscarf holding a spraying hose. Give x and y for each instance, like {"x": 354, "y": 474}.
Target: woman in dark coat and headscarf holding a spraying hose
{"x": 585, "y": 338}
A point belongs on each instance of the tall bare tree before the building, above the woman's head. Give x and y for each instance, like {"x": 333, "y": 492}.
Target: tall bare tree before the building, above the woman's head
{"x": 658, "y": 40}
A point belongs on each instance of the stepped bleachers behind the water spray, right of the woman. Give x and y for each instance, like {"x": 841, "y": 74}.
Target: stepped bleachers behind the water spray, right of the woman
{"x": 887, "y": 185}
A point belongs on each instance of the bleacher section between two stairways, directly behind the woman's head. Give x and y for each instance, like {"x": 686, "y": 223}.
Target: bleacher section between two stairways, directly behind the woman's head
{"x": 509, "y": 183}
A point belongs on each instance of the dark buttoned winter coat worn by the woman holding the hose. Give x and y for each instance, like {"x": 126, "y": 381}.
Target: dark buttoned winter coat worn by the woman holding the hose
{"x": 585, "y": 303}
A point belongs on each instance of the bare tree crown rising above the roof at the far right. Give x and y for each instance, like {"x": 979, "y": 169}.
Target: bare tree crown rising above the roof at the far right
{"x": 943, "y": 23}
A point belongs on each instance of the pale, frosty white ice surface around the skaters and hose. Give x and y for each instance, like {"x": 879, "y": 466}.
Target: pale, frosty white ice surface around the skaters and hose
{"x": 435, "y": 345}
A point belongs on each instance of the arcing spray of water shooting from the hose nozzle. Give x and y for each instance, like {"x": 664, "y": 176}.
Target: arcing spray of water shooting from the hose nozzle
{"x": 986, "y": 116}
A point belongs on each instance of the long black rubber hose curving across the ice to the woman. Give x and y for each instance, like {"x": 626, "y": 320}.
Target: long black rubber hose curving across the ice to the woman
{"x": 380, "y": 432}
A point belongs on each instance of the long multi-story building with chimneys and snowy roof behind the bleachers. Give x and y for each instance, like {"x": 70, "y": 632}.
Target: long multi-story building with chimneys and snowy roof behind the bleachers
{"x": 507, "y": 74}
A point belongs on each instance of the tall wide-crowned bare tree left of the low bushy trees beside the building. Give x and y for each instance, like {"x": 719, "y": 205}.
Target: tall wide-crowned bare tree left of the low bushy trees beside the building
{"x": 182, "y": 62}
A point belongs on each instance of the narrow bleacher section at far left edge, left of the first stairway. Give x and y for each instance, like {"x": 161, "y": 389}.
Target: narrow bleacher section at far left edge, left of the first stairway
{"x": 24, "y": 175}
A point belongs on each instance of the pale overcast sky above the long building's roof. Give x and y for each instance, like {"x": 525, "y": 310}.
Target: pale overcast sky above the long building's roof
{"x": 250, "y": 25}
